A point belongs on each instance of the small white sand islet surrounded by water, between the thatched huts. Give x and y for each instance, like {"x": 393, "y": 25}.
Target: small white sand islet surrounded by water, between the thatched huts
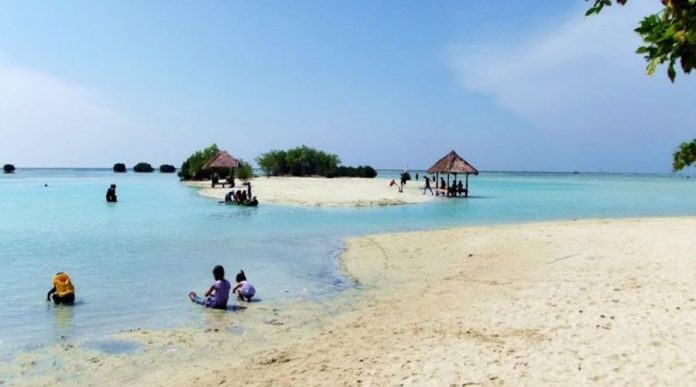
{"x": 319, "y": 191}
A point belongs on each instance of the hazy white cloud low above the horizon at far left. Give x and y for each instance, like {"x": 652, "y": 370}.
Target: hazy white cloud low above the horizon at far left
{"x": 47, "y": 121}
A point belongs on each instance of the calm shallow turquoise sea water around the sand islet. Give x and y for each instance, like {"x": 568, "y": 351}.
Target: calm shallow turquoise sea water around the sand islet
{"x": 134, "y": 262}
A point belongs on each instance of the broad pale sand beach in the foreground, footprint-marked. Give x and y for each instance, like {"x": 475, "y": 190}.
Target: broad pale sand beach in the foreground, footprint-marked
{"x": 579, "y": 302}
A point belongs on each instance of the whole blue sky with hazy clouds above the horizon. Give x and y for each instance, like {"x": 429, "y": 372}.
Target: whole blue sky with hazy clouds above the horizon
{"x": 509, "y": 85}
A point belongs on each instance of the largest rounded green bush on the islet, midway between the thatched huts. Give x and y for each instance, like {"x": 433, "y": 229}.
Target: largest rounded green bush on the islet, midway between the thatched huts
{"x": 299, "y": 161}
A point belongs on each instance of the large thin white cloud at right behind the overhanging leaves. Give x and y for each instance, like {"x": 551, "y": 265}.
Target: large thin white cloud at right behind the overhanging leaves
{"x": 581, "y": 82}
